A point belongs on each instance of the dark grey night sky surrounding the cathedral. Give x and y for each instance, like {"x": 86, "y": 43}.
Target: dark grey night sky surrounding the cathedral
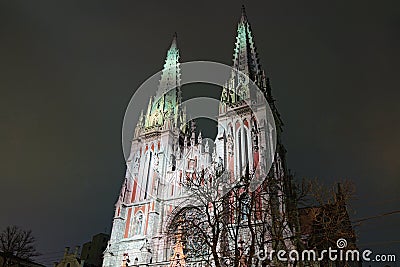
{"x": 68, "y": 70}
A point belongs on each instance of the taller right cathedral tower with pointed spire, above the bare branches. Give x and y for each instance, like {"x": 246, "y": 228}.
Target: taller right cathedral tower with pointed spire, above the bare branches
{"x": 245, "y": 139}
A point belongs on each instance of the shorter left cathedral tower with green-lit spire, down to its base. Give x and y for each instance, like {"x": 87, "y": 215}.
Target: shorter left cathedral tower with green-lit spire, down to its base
{"x": 138, "y": 210}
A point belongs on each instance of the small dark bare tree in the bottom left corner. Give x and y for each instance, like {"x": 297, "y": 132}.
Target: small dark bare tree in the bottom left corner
{"x": 17, "y": 243}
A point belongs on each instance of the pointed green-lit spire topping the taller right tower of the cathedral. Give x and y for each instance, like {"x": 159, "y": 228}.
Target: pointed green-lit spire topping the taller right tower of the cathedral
{"x": 245, "y": 58}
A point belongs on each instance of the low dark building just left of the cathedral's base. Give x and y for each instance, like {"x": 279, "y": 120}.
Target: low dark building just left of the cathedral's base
{"x": 92, "y": 251}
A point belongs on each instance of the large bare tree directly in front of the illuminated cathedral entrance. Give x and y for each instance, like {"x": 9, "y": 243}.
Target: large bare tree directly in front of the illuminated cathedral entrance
{"x": 228, "y": 225}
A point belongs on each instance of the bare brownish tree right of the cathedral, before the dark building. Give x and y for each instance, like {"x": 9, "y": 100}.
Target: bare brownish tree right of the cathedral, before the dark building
{"x": 325, "y": 217}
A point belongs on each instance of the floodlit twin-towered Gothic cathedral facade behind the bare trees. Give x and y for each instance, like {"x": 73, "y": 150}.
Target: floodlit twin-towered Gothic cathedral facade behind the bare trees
{"x": 166, "y": 150}
